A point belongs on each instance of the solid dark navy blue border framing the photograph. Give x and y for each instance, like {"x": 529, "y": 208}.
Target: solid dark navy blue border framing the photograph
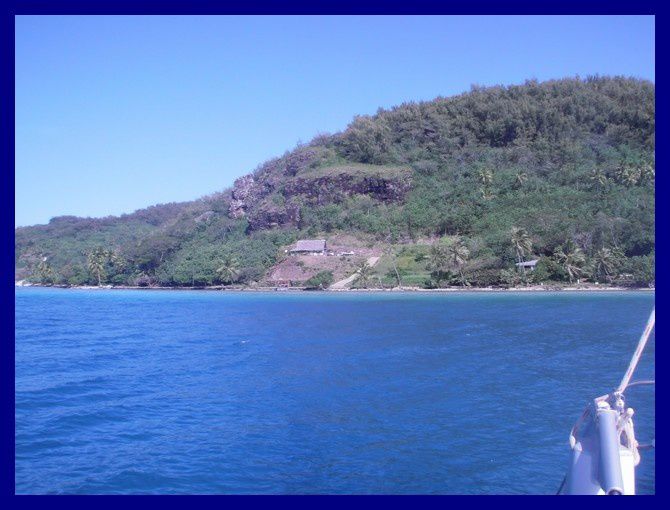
{"x": 139, "y": 7}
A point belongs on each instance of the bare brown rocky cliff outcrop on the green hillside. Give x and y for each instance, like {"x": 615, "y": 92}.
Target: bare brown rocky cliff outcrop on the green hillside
{"x": 276, "y": 192}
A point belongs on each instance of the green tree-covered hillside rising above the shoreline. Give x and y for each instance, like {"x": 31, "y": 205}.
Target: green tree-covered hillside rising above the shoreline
{"x": 461, "y": 188}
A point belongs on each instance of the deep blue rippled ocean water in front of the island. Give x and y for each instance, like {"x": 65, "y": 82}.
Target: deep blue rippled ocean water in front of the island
{"x": 123, "y": 392}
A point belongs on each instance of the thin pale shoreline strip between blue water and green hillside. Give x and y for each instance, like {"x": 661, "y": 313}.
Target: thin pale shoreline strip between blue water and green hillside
{"x": 532, "y": 288}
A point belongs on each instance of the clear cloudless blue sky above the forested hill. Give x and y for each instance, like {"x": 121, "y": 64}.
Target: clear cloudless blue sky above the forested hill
{"x": 117, "y": 113}
